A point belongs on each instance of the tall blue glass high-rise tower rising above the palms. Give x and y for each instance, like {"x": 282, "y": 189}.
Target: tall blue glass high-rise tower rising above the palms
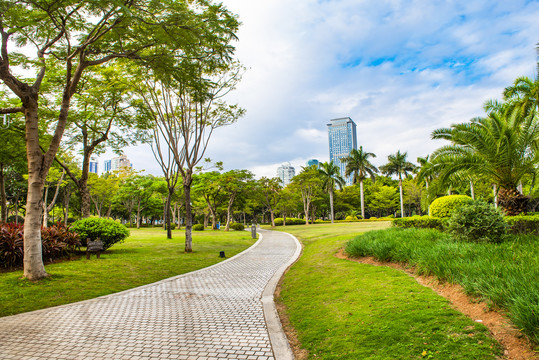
{"x": 342, "y": 139}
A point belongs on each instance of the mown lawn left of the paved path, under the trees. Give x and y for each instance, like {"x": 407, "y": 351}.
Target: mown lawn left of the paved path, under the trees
{"x": 145, "y": 257}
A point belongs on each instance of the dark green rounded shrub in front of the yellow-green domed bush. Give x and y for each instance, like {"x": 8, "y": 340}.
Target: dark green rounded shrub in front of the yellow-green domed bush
{"x": 478, "y": 222}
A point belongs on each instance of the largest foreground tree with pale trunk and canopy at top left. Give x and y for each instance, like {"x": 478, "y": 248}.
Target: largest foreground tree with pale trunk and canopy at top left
{"x": 74, "y": 36}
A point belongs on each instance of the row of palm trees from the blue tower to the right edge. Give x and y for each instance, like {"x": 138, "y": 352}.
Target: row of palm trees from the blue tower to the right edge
{"x": 501, "y": 148}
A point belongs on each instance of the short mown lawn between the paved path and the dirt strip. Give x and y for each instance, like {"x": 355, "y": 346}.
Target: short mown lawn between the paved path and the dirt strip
{"x": 347, "y": 310}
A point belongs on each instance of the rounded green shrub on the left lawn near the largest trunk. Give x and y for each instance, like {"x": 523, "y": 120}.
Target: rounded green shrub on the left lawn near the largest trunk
{"x": 107, "y": 230}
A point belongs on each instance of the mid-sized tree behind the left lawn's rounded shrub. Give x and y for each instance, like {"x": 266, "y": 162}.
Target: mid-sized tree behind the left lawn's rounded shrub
{"x": 99, "y": 118}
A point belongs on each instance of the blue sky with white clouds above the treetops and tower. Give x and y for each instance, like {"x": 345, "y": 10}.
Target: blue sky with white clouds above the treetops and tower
{"x": 399, "y": 69}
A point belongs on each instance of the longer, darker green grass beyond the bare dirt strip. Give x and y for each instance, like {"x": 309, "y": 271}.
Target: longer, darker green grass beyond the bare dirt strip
{"x": 505, "y": 275}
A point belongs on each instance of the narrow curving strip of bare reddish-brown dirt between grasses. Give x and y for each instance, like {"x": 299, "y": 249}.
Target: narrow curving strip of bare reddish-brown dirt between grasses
{"x": 516, "y": 345}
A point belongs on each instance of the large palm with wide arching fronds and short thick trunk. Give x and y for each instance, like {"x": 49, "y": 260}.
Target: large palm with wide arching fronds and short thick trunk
{"x": 501, "y": 148}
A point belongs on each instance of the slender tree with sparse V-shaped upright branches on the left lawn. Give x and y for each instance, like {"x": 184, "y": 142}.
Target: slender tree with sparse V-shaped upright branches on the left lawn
{"x": 187, "y": 106}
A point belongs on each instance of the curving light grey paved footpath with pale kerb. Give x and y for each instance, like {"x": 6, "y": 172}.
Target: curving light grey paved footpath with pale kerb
{"x": 225, "y": 311}
